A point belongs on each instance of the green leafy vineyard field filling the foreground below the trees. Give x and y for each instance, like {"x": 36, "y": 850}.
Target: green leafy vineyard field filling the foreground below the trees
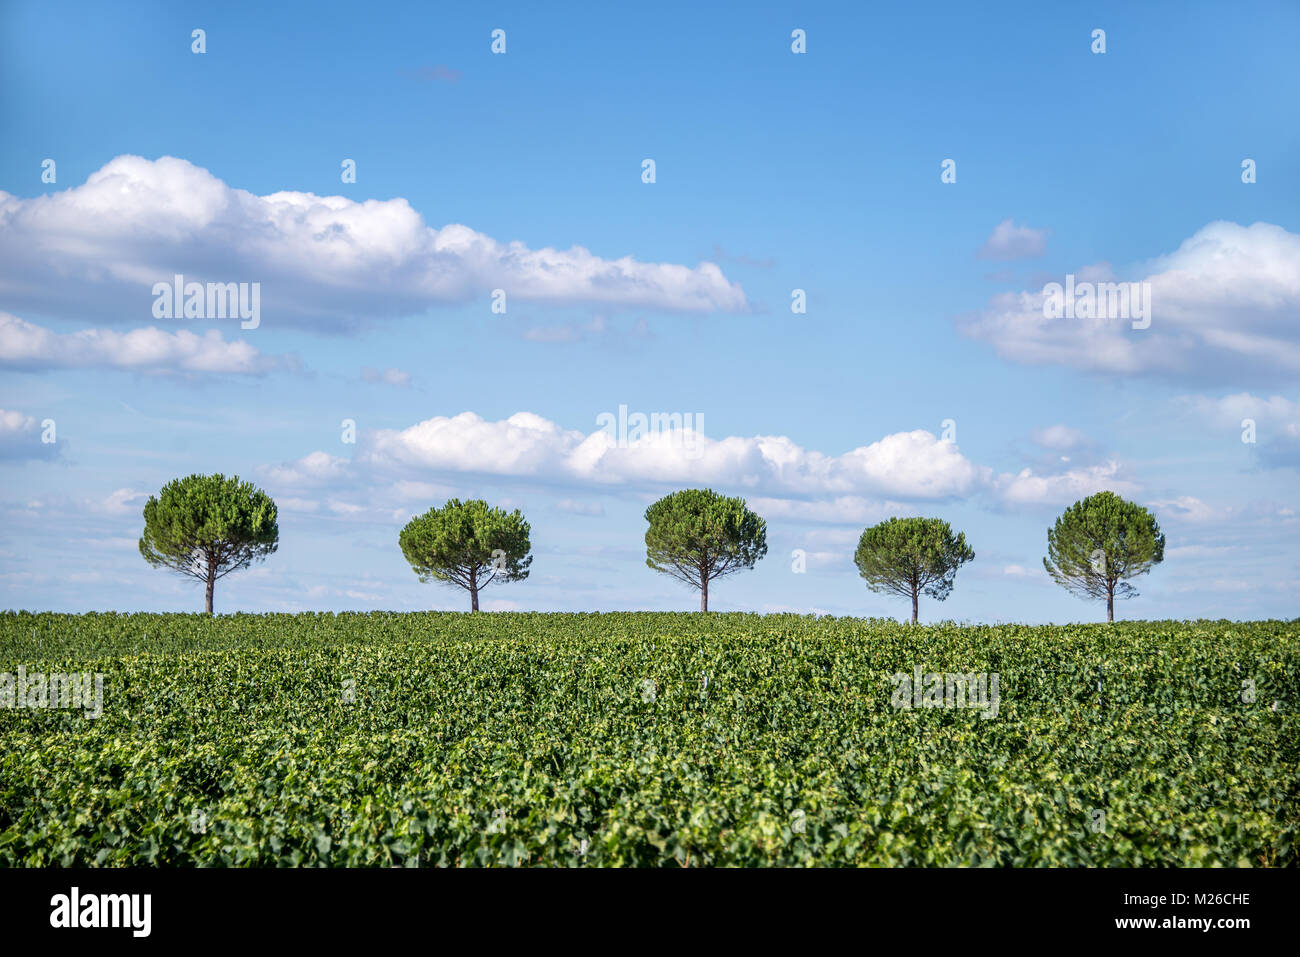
{"x": 648, "y": 739}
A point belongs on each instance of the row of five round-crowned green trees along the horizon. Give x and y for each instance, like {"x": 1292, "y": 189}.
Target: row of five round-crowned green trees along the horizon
{"x": 206, "y": 527}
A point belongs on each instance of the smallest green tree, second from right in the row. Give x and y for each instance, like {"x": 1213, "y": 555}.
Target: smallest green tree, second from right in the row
{"x": 911, "y": 557}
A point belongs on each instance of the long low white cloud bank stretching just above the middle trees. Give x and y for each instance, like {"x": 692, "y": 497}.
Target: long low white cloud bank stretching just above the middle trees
{"x": 902, "y": 474}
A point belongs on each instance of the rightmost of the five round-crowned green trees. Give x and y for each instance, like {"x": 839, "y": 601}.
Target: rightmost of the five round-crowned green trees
{"x": 1099, "y": 544}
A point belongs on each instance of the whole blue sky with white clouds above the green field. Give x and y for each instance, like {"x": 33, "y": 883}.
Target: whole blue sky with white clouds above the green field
{"x": 774, "y": 171}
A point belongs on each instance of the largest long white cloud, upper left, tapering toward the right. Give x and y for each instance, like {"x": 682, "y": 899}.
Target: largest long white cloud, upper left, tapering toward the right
{"x": 320, "y": 261}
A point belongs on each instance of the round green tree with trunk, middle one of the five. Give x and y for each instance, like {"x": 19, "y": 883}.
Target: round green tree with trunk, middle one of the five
{"x": 699, "y": 536}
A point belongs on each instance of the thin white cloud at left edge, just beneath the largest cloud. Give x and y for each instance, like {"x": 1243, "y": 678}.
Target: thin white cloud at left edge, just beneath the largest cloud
{"x": 151, "y": 350}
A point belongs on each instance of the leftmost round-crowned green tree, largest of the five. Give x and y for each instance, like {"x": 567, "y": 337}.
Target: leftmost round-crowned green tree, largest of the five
{"x": 207, "y": 526}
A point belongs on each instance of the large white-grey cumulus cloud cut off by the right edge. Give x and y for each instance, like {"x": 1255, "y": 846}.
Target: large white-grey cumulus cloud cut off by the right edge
{"x": 1225, "y": 308}
